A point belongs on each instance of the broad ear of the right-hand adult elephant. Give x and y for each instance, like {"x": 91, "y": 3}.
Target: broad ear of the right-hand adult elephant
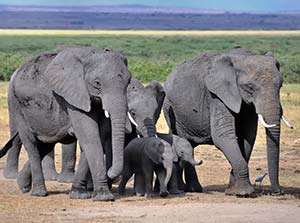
{"x": 222, "y": 81}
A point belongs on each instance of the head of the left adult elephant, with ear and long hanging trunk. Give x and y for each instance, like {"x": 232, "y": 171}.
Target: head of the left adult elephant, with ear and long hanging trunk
{"x": 90, "y": 78}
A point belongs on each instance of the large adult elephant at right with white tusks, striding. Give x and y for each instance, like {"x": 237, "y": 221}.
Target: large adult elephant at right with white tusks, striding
{"x": 215, "y": 99}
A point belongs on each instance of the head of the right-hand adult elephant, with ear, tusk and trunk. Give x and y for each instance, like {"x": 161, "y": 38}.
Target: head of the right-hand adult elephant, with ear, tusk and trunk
{"x": 239, "y": 77}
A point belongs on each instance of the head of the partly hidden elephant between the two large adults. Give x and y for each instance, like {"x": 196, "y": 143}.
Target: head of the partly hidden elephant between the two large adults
{"x": 145, "y": 105}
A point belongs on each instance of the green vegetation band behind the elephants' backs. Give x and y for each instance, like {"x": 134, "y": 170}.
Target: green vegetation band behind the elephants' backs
{"x": 155, "y": 56}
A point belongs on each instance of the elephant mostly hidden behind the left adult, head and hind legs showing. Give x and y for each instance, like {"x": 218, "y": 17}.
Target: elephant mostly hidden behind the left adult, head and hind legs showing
{"x": 145, "y": 106}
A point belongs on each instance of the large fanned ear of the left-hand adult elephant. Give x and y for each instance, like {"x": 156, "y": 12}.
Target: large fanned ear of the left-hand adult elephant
{"x": 65, "y": 76}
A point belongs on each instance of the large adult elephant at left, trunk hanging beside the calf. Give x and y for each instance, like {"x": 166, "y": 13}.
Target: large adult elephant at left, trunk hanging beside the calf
{"x": 61, "y": 97}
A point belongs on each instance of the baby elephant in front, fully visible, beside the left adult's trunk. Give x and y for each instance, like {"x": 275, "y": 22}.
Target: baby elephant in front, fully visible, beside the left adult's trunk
{"x": 142, "y": 156}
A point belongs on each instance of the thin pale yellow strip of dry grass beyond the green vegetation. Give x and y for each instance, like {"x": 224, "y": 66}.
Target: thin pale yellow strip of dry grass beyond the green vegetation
{"x": 152, "y": 32}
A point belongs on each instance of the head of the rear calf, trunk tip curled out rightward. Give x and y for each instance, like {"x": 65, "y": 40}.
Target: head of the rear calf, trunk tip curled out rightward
{"x": 184, "y": 150}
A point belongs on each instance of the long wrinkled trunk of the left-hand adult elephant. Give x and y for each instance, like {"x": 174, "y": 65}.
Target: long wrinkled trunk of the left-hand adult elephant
{"x": 117, "y": 110}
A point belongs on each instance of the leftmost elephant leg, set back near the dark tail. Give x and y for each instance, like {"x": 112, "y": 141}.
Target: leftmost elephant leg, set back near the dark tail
{"x": 12, "y": 163}
